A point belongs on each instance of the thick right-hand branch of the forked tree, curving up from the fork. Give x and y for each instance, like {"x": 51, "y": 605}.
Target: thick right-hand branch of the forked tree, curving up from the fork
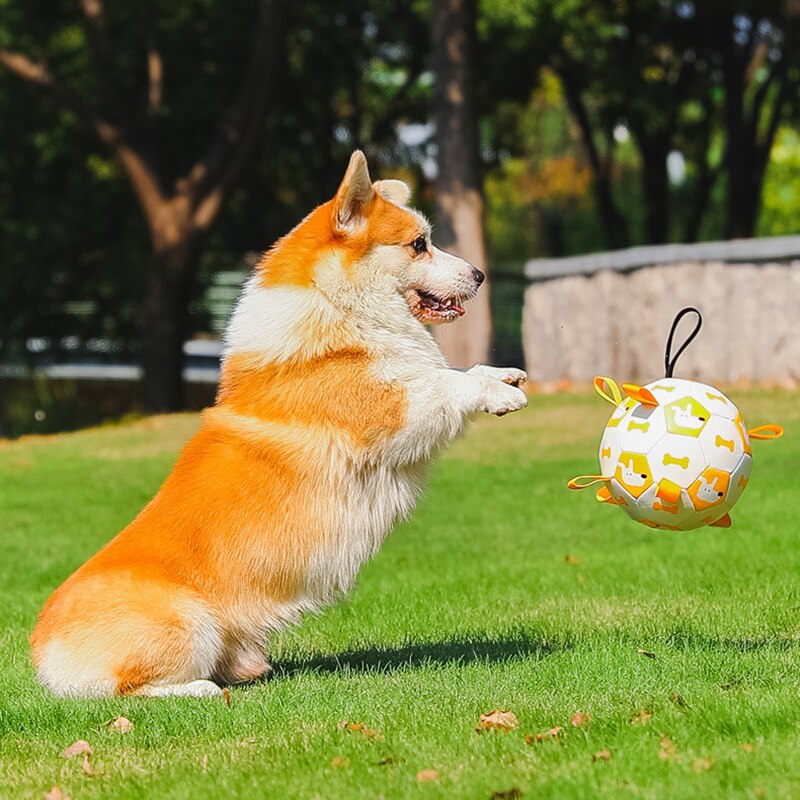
{"x": 226, "y": 155}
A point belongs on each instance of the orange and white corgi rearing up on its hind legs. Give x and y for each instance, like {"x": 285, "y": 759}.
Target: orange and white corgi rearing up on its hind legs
{"x": 333, "y": 399}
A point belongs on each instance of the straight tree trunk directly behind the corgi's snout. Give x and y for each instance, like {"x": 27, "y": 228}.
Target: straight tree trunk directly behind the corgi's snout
{"x": 459, "y": 201}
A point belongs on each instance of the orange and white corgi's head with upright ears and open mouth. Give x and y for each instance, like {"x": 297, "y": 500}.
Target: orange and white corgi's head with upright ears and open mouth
{"x": 366, "y": 242}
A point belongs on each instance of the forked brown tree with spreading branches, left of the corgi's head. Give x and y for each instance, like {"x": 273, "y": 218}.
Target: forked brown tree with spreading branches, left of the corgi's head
{"x": 180, "y": 215}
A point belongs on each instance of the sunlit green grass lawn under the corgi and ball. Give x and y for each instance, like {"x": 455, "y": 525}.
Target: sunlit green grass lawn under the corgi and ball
{"x": 471, "y": 606}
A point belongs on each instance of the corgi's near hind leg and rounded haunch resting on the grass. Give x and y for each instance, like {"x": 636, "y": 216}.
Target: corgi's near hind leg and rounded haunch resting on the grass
{"x": 110, "y": 634}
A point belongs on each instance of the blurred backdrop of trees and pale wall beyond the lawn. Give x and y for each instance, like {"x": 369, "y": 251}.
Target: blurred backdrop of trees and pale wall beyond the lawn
{"x": 150, "y": 151}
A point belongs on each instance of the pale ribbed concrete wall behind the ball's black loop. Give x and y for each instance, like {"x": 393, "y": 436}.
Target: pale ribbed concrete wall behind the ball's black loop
{"x": 613, "y": 322}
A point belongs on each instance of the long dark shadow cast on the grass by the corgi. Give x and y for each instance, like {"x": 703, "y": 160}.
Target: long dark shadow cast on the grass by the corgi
{"x": 464, "y": 650}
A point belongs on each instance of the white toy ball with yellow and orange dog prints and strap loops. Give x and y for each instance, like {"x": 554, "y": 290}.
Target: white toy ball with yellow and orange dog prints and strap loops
{"x": 675, "y": 453}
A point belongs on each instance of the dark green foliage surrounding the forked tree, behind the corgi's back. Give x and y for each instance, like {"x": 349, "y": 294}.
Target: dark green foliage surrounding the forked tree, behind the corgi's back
{"x": 71, "y": 228}
